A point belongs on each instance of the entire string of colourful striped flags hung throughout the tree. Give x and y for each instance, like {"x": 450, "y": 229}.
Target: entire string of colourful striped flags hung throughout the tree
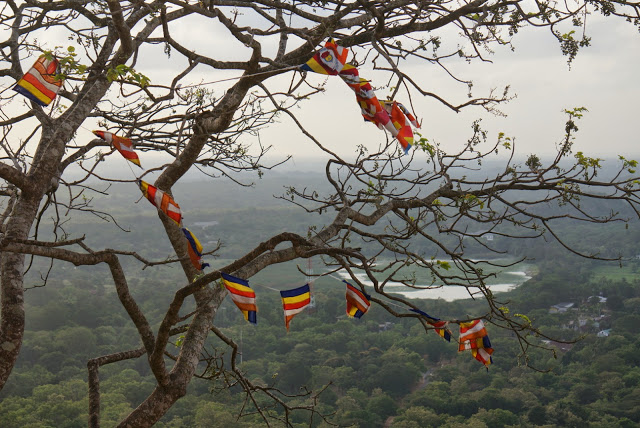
{"x": 41, "y": 84}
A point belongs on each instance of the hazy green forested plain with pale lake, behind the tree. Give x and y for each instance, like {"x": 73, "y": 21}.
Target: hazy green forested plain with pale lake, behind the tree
{"x": 380, "y": 370}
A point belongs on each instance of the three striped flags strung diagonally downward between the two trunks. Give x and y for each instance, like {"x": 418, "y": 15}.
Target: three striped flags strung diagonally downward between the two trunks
{"x": 159, "y": 199}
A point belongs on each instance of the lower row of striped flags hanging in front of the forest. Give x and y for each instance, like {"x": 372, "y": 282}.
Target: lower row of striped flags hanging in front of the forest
{"x": 473, "y": 334}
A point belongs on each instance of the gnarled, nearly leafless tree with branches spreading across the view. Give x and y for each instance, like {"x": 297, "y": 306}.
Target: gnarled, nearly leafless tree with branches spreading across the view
{"x": 380, "y": 202}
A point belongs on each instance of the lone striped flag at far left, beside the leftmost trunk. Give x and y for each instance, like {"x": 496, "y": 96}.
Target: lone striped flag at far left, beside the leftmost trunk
{"x": 40, "y": 84}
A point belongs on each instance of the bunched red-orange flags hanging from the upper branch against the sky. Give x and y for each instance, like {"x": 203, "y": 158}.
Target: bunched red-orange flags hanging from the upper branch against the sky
{"x": 390, "y": 115}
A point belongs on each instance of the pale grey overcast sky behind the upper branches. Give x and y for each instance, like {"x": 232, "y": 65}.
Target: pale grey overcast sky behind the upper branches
{"x": 603, "y": 78}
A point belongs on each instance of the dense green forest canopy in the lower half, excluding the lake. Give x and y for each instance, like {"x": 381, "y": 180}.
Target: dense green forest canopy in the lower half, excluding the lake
{"x": 380, "y": 369}
